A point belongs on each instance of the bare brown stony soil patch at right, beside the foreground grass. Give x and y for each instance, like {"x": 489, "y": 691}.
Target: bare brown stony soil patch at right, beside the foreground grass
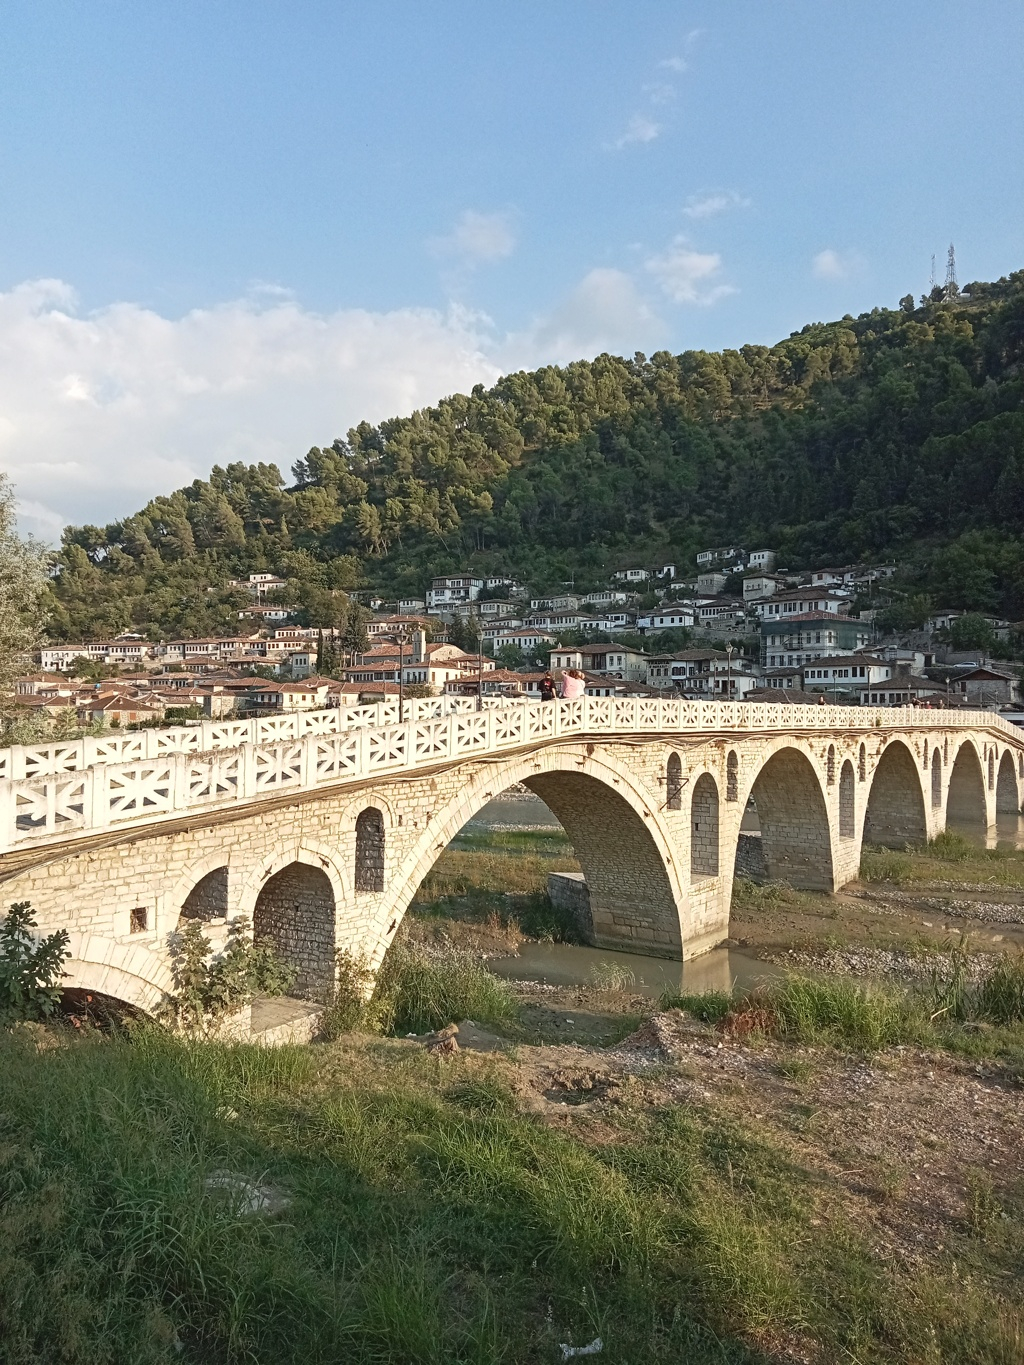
{"x": 924, "y": 1151}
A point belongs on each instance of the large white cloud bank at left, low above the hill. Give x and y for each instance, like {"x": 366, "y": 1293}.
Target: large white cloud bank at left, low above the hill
{"x": 100, "y": 413}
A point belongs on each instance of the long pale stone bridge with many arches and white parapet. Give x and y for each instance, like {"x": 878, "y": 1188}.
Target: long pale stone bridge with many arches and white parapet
{"x": 322, "y": 827}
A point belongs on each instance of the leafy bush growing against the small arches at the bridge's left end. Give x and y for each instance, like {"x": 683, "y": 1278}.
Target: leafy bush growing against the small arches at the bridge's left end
{"x": 210, "y": 986}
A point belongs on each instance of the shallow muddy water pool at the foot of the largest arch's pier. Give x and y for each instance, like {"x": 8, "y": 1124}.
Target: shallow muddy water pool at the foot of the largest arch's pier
{"x": 562, "y": 964}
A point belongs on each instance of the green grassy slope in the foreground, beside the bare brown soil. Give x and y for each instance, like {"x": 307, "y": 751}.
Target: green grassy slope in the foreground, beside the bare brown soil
{"x": 425, "y": 1214}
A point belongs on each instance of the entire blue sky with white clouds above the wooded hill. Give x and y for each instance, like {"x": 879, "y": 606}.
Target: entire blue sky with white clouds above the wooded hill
{"x": 233, "y": 230}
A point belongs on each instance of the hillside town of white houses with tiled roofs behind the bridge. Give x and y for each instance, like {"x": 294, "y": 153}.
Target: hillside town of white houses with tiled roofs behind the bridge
{"x": 746, "y": 630}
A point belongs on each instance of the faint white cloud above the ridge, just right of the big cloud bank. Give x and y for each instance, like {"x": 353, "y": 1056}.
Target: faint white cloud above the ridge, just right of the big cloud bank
{"x": 606, "y": 312}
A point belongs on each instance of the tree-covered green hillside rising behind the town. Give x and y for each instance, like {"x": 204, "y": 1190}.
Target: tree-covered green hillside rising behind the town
{"x": 895, "y": 435}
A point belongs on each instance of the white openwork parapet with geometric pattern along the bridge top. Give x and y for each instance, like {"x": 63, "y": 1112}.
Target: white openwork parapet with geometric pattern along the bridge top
{"x": 255, "y": 762}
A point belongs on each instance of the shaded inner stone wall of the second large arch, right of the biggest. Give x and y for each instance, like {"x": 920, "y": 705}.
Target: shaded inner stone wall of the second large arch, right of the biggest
{"x": 794, "y": 818}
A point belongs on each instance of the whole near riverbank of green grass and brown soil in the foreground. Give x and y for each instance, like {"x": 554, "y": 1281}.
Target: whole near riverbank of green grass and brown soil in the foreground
{"x": 682, "y": 1195}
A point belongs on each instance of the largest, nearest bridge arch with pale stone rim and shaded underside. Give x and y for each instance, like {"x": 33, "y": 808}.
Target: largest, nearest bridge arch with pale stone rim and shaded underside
{"x": 637, "y": 884}
